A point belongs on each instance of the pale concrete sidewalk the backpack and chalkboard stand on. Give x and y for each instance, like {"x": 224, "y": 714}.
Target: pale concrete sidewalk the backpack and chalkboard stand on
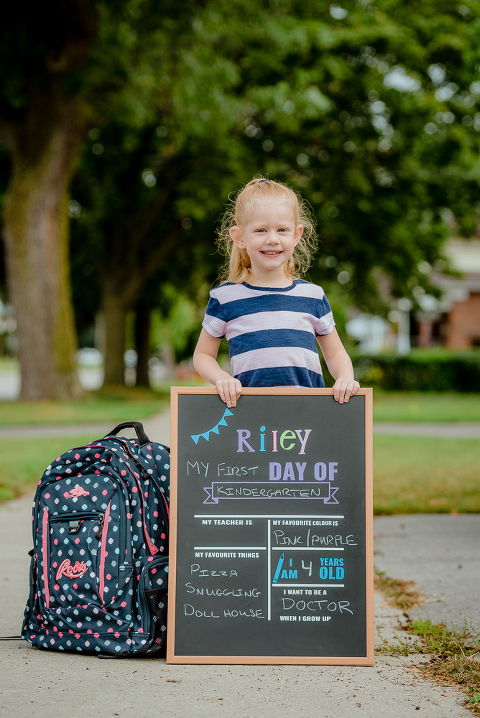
{"x": 41, "y": 683}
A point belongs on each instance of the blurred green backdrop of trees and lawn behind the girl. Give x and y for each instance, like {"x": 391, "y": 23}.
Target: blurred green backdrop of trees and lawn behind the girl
{"x": 126, "y": 125}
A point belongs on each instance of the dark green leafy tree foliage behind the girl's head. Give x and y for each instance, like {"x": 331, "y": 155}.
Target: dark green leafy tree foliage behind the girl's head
{"x": 370, "y": 109}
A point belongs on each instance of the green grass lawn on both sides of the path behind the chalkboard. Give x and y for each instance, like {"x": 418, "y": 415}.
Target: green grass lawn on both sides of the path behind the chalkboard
{"x": 411, "y": 474}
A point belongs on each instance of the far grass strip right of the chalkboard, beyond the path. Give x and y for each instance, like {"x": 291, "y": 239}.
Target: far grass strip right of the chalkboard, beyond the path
{"x": 425, "y": 406}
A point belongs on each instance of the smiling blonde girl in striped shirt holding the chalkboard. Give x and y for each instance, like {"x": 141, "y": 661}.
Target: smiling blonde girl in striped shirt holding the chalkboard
{"x": 270, "y": 317}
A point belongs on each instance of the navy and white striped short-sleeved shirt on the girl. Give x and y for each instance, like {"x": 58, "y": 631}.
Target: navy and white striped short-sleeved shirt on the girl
{"x": 271, "y": 332}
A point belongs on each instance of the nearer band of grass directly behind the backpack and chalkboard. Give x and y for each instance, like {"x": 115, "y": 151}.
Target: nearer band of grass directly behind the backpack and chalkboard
{"x": 411, "y": 474}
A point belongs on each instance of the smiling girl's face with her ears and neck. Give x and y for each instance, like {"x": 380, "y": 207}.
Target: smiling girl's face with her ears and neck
{"x": 269, "y": 238}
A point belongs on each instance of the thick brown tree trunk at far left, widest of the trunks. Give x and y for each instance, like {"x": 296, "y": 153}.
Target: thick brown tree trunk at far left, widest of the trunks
{"x": 43, "y": 148}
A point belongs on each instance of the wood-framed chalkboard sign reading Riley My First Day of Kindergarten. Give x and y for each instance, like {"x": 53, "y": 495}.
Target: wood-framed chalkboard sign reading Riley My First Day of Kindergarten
{"x": 271, "y": 528}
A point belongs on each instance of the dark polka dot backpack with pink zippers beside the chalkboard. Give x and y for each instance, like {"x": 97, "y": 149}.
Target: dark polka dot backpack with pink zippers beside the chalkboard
{"x": 99, "y": 568}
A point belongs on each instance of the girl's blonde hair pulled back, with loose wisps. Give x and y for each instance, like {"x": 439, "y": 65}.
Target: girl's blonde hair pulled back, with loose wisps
{"x": 237, "y": 267}
